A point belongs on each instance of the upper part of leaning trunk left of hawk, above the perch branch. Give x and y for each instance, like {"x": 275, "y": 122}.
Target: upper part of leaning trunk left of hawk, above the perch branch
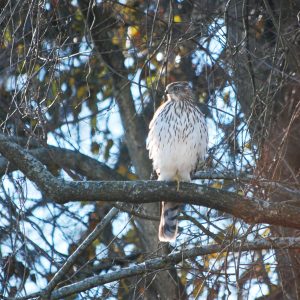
{"x": 112, "y": 56}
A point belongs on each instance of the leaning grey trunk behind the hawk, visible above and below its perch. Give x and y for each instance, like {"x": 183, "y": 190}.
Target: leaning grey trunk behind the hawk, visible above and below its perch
{"x": 161, "y": 285}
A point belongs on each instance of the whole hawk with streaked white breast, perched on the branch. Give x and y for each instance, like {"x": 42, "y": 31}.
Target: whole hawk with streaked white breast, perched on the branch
{"x": 177, "y": 141}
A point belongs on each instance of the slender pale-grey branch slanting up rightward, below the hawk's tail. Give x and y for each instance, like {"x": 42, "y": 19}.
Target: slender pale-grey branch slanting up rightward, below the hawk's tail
{"x": 168, "y": 261}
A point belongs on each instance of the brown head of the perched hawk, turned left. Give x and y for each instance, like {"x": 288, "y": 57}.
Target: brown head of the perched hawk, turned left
{"x": 179, "y": 91}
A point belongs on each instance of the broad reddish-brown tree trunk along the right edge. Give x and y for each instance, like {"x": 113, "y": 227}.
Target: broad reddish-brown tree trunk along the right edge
{"x": 266, "y": 65}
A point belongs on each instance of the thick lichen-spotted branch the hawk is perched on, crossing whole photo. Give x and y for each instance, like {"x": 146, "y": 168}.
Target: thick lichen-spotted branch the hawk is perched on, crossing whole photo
{"x": 250, "y": 210}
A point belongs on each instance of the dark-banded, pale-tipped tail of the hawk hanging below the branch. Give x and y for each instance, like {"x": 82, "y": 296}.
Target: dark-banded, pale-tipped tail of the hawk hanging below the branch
{"x": 168, "y": 222}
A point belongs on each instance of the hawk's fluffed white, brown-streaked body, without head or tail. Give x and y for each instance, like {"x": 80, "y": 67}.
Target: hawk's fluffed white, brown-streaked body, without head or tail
{"x": 177, "y": 140}
